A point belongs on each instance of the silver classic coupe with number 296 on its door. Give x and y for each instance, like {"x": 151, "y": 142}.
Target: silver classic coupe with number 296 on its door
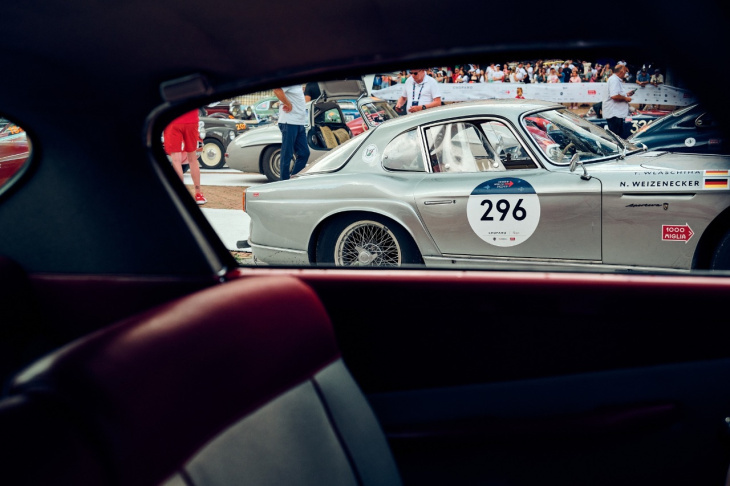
{"x": 497, "y": 183}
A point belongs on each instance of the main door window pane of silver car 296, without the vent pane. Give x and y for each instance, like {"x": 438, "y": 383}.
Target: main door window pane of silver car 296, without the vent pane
{"x": 460, "y": 147}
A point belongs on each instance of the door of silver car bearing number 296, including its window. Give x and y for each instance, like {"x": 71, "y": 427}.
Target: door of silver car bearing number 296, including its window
{"x": 486, "y": 196}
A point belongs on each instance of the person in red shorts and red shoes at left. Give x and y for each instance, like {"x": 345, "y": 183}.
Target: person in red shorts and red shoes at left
{"x": 181, "y": 141}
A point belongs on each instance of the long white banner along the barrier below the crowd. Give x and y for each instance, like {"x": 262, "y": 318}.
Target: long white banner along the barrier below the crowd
{"x": 557, "y": 92}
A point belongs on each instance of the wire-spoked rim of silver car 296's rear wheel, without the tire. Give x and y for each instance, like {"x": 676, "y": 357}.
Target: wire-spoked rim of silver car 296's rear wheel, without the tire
{"x": 367, "y": 243}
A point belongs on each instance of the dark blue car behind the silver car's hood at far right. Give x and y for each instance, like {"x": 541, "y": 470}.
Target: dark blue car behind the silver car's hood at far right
{"x": 691, "y": 129}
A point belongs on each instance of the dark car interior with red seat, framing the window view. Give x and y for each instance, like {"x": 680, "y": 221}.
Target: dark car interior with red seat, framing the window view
{"x": 135, "y": 351}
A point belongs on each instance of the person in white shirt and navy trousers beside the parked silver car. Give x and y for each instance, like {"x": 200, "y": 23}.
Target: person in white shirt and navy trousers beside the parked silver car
{"x": 292, "y": 119}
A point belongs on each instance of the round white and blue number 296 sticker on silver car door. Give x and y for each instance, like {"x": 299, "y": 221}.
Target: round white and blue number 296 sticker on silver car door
{"x": 504, "y": 211}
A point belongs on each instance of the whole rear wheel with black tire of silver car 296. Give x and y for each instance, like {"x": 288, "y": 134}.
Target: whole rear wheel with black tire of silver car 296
{"x": 366, "y": 240}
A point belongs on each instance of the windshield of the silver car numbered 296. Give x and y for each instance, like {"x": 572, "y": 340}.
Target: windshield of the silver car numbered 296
{"x": 560, "y": 134}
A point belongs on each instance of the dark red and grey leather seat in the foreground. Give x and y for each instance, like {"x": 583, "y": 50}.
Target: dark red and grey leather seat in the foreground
{"x": 241, "y": 383}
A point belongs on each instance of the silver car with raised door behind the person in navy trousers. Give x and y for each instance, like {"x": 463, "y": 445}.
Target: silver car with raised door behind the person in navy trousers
{"x": 259, "y": 150}
